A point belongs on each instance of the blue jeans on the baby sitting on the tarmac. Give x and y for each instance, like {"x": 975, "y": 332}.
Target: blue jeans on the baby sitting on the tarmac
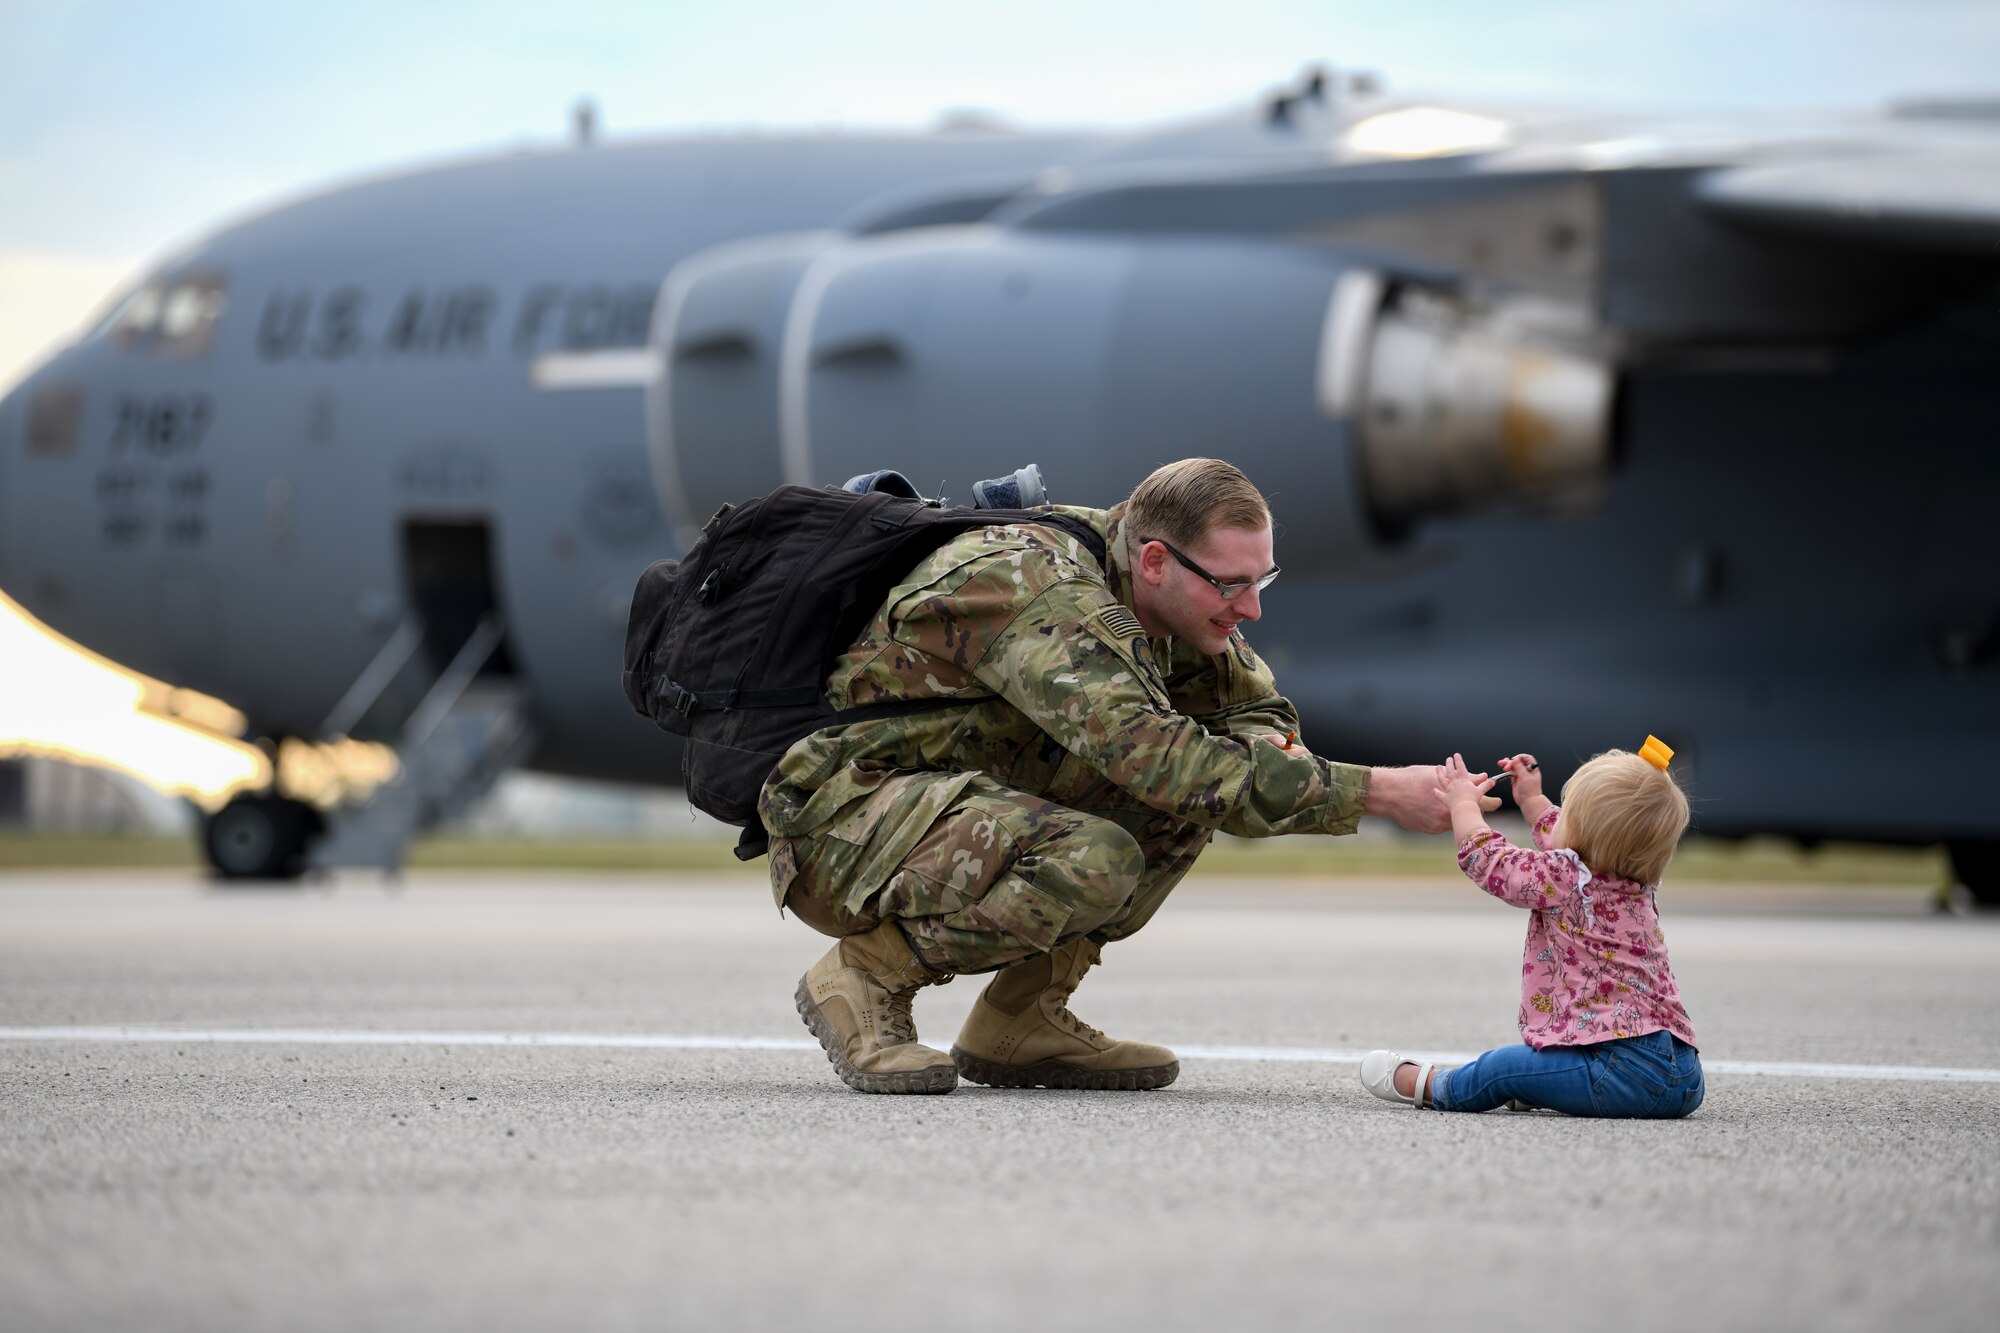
{"x": 1651, "y": 1078}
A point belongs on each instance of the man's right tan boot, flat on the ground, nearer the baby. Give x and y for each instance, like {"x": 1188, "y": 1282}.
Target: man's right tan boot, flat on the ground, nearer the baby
{"x": 1021, "y": 1034}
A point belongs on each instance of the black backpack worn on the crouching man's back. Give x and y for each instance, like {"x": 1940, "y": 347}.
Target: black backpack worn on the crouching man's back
{"x": 731, "y": 647}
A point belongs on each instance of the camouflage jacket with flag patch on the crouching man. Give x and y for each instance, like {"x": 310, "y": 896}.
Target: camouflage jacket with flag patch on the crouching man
{"x": 1059, "y": 696}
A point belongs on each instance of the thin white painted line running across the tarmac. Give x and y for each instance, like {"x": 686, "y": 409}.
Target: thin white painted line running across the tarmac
{"x": 663, "y": 1042}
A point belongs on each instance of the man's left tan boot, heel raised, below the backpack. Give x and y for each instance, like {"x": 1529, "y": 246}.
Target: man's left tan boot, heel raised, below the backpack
{"x": 857, "y": 1002}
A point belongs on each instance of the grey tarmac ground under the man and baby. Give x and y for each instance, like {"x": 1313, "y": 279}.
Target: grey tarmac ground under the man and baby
{"x": 523, "y": 1102}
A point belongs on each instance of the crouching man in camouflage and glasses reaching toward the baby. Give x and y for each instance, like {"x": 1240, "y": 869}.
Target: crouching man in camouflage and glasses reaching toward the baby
{"x": 1093, "y": 730}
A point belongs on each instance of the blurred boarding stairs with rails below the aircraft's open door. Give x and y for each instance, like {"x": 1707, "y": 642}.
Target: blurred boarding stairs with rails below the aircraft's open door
{"x": 455, "y": 748}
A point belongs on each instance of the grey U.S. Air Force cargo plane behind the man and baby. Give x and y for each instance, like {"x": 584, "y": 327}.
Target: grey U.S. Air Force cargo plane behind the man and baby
{"x": 1575, "y": 429}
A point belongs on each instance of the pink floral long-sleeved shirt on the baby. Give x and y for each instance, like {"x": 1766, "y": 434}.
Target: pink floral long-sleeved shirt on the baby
{"x": 1595, "y": 968}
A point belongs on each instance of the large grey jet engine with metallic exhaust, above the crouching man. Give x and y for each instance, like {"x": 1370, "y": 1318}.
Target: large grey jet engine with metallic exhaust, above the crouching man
{"x": 955, "y": 353}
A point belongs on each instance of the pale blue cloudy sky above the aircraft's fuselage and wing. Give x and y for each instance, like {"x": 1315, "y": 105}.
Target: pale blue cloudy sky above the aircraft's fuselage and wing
{"x": 129, "y": 127}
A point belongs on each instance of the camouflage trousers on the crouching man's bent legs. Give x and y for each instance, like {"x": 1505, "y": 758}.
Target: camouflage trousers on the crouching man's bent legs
{"x": 999, "y": 876}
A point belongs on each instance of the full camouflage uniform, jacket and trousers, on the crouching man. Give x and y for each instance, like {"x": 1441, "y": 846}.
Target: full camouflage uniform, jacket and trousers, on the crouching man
{"x": 1067, "y": 790}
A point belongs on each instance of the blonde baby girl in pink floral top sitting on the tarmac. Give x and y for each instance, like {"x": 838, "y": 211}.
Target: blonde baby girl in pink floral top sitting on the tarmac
{"x": 1599, "y": 1008}
